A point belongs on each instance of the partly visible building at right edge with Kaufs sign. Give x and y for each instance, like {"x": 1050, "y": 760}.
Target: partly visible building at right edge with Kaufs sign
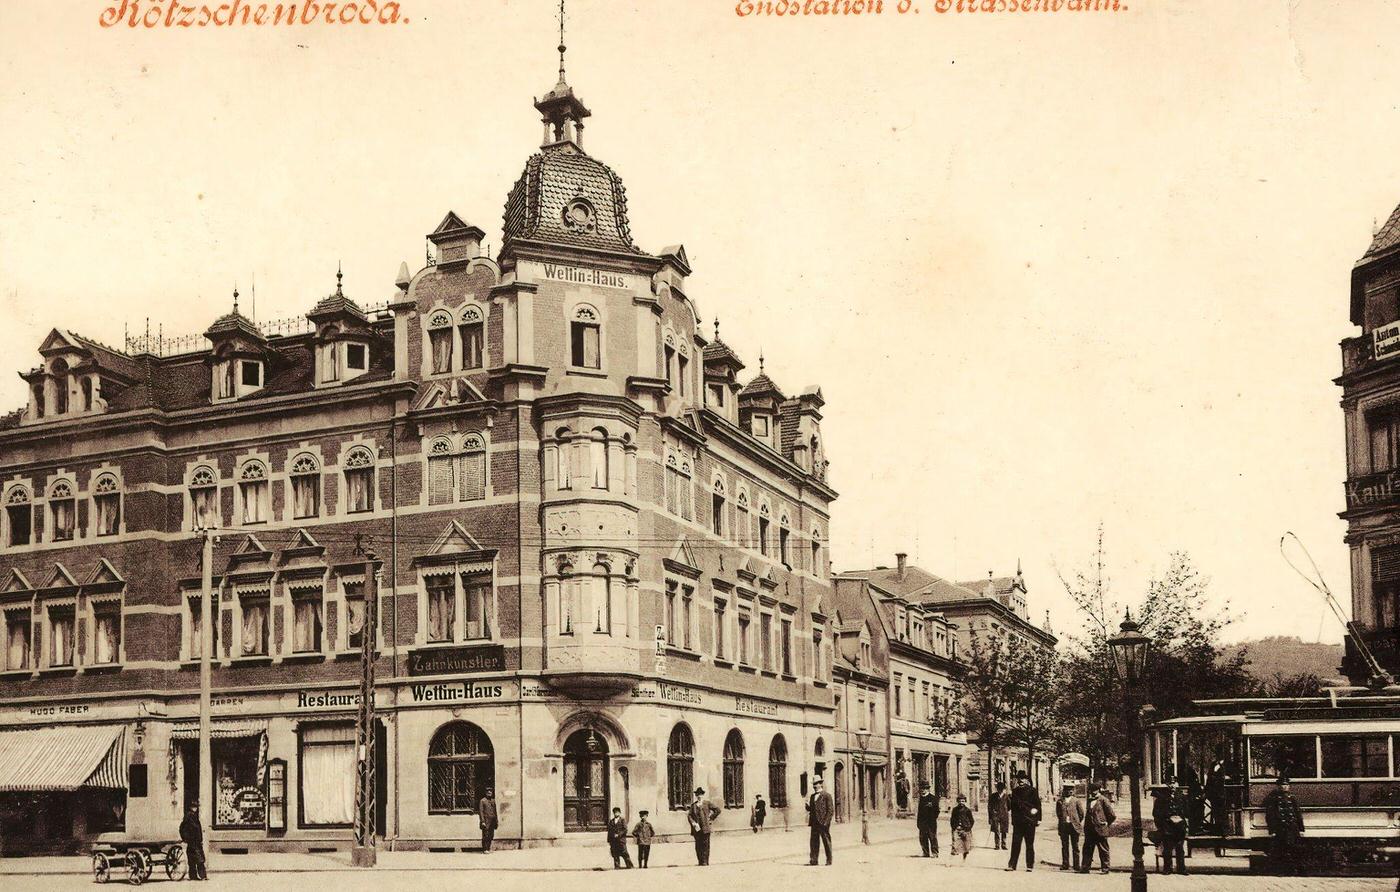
{"x": 1371, "y": 404}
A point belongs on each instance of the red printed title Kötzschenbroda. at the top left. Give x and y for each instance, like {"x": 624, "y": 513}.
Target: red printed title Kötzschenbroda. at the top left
{"x": 176, "y": 15}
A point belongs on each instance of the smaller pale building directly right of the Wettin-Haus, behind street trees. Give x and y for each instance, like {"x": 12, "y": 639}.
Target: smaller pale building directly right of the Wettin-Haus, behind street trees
{"x": 923, "y": 671}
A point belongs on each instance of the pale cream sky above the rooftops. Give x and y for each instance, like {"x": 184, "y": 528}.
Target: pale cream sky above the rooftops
{"x": 1049, "y": 271}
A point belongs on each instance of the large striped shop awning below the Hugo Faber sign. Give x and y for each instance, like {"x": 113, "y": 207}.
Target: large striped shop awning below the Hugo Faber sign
{"x": 65, "y": 760}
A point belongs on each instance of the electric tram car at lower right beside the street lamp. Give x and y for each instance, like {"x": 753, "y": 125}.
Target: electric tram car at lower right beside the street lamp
{"x": 1340, "y": 753}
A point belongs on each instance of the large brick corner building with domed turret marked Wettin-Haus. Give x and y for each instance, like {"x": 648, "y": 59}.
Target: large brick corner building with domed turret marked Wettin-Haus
{"x": 601, "y": 554}
